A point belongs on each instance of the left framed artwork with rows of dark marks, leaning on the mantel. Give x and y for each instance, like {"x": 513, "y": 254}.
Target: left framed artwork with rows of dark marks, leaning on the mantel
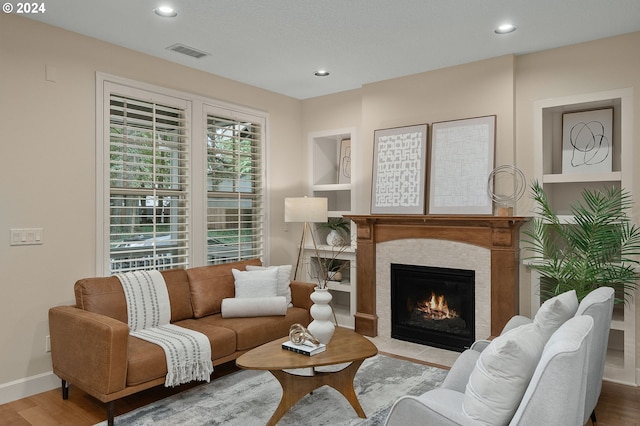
{"x": 399, "y": 170}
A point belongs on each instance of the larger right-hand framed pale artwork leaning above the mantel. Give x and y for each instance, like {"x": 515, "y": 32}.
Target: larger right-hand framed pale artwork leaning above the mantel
{"x": 462, "y": 157}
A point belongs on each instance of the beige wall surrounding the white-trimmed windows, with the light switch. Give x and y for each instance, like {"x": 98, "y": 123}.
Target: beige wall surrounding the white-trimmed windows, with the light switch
{"x": 47, "y": 177}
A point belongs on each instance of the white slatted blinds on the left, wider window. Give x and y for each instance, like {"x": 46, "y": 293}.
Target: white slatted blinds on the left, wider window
{"x": 148, "y": 184}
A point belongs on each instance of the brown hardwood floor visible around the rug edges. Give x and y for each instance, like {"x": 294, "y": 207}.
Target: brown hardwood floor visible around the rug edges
{"x": 619, "y": 406}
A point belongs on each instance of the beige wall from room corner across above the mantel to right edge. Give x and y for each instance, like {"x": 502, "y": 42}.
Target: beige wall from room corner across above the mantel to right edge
{"x": 505, "y": 86}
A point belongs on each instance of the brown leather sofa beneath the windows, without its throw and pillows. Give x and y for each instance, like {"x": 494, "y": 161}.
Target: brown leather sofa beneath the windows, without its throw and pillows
{"x": 91, "y": 347}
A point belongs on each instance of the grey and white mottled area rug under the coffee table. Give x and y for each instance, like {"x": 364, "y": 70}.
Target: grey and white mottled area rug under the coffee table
{"x": 249, "y": 397}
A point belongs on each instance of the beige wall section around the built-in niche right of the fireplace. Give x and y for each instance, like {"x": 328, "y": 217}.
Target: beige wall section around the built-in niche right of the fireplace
{"x": 612, "y": 63}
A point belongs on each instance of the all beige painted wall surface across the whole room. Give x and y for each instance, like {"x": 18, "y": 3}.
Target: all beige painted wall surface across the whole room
{"x": 49, "y": 150}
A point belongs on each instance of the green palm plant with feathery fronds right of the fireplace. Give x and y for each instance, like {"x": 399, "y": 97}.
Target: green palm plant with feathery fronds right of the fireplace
{"x": 599, "y": 247}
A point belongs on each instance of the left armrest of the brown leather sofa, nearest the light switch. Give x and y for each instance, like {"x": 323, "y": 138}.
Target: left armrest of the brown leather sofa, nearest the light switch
{"x": 89, "y": 349}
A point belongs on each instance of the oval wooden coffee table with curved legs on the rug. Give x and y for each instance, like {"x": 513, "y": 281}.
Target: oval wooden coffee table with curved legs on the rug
{"x": 345, "y": 346}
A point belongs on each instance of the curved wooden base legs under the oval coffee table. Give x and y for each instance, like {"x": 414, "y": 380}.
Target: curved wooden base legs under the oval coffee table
{"x": 295, "y": 387}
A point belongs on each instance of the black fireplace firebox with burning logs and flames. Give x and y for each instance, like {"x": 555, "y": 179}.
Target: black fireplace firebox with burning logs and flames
{"x": 433, "y": 306}
